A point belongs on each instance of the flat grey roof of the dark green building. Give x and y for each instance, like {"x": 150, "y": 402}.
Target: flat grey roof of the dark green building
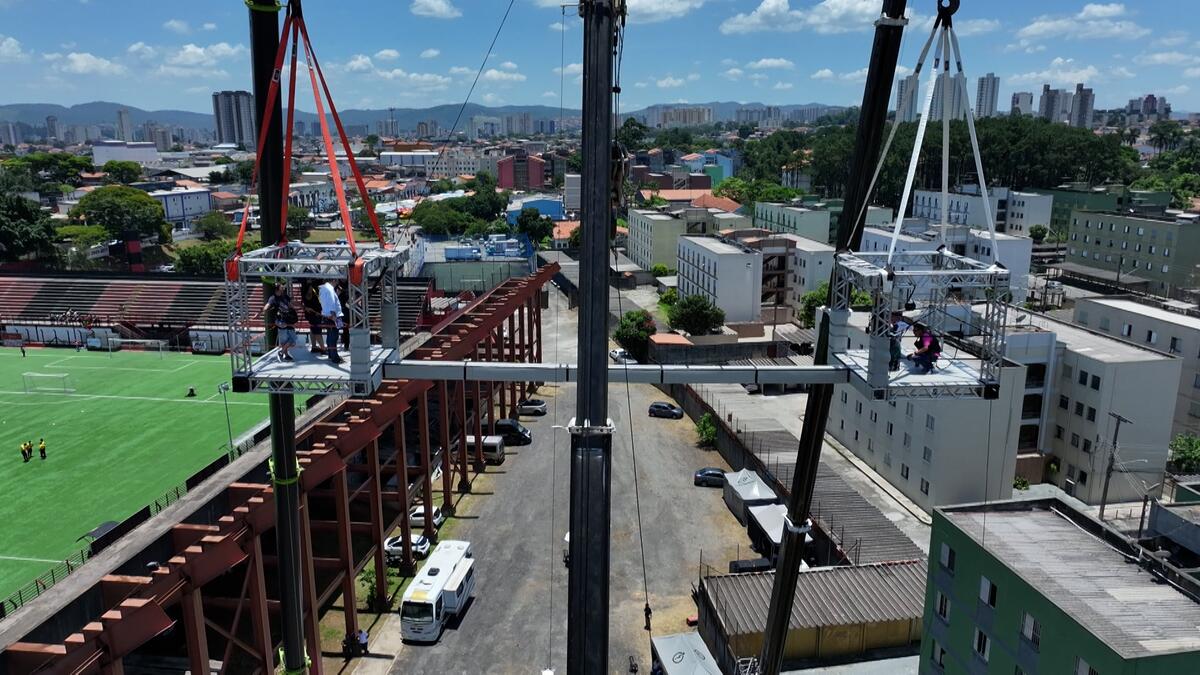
{"x": 1121, "y": 604}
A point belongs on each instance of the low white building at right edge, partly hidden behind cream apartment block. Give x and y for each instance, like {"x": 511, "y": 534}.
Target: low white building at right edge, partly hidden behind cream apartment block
{"x": 1155, "y": 327}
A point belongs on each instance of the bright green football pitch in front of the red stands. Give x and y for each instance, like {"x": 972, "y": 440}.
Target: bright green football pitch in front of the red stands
{"x": 125, "y": 435}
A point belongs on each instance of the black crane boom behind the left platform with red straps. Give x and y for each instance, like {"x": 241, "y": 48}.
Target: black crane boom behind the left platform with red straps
{"x": 265, "y": 43}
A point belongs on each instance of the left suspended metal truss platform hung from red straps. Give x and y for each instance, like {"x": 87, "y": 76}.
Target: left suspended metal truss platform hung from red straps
{"x": 369, "y": 271}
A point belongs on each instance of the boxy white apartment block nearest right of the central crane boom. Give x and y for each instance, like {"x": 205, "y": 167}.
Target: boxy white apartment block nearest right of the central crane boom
{"x": 729, "y": 274}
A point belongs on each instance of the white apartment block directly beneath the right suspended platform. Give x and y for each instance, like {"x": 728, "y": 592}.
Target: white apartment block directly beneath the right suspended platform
{"x": 937, "y": 452}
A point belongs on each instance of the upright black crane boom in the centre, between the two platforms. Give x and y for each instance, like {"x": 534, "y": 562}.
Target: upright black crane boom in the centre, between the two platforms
{"x": 587, "y": 598}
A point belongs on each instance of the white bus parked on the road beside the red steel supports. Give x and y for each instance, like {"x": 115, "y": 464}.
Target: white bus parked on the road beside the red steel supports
{"x": 440, "y": 593}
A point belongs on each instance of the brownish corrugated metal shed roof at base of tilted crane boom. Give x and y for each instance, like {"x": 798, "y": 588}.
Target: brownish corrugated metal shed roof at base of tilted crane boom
{"x": 832, "y": 596}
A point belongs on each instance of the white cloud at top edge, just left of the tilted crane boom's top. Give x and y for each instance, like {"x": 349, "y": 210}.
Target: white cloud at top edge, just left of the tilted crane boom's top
{"x": 825, "y": 17}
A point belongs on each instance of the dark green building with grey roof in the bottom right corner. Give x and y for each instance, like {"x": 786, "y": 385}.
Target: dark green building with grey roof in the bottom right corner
{"x": 1036, "y": 587}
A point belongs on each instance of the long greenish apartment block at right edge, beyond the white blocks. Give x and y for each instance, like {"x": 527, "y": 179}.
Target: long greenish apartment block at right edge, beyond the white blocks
{"x": 1160, "y": 252}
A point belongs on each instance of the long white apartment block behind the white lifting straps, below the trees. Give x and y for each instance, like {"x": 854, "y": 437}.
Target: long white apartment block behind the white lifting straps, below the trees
{"x": 1011, "y": 211}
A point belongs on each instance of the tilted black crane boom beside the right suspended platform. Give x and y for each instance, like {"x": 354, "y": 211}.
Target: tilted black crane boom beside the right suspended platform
{"x": 873, "y": 116}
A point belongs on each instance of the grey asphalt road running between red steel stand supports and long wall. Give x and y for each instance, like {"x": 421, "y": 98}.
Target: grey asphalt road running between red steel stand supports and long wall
{"x": 518, "y": 518}
